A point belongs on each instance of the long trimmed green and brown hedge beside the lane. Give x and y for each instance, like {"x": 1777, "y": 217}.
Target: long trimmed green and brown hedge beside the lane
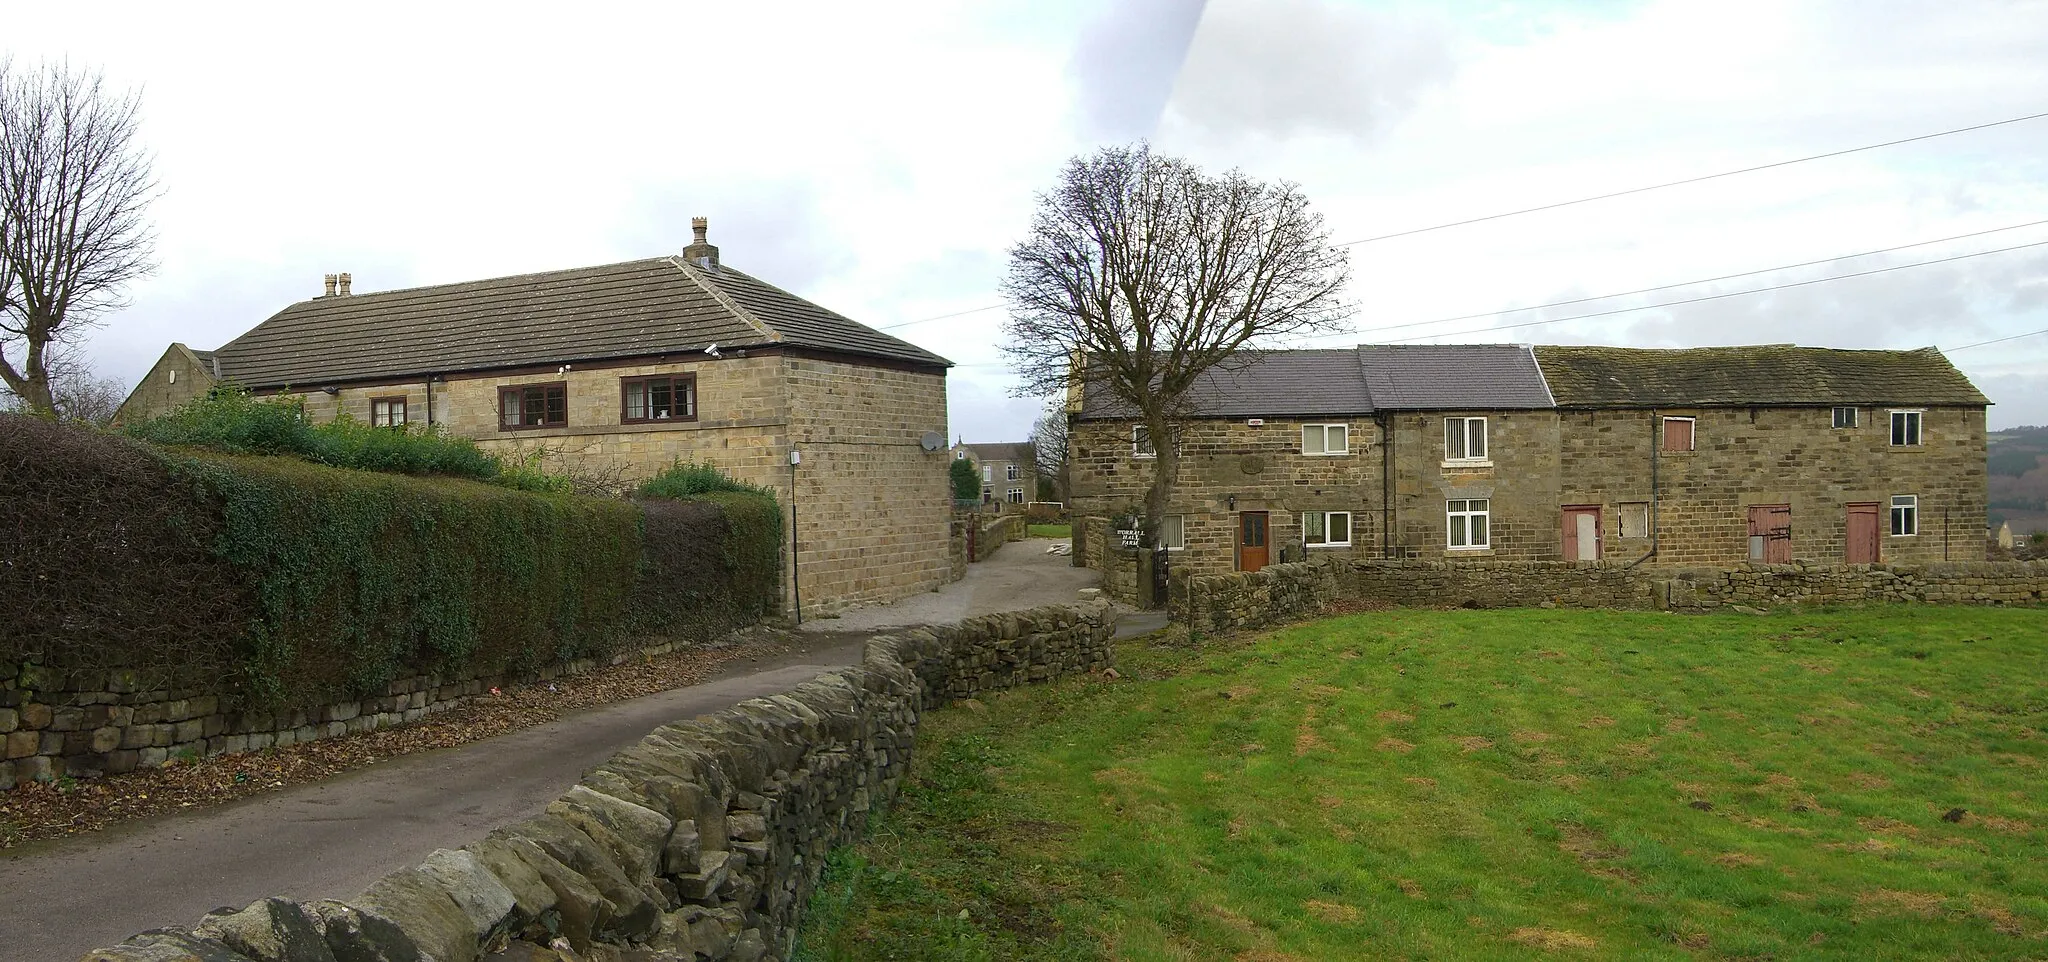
{"x": 288, "y": 584}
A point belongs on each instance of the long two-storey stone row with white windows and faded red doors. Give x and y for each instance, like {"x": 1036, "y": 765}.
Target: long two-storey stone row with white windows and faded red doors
{"x": 1512, "y": 453}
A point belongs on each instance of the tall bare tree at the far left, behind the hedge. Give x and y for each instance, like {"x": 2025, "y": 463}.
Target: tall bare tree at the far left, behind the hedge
{"x": 73, "y": 195}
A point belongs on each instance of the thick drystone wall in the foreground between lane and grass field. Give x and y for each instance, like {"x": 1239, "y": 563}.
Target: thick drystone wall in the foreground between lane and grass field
{"x": 703, "y": 842}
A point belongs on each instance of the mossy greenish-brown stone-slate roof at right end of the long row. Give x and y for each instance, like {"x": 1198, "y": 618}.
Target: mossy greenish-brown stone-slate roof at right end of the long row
{"x": 1758, "y": 376}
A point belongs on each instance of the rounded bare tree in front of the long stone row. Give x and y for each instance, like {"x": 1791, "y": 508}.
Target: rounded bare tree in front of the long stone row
{"x": 1142, "y": 273}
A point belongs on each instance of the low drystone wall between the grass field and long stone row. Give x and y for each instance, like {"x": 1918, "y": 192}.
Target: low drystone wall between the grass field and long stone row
{"x": 1291, "y": 593}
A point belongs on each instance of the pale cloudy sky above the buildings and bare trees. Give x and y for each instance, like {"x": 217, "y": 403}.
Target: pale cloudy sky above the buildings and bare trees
{"x": 884, "y": 159}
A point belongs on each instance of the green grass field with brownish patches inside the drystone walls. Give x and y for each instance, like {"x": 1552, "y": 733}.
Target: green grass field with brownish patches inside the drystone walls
{"x": 1486, "y": 785}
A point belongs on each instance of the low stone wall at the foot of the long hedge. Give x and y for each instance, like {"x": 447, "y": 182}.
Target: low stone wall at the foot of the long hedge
{"x": 99, "y": 724}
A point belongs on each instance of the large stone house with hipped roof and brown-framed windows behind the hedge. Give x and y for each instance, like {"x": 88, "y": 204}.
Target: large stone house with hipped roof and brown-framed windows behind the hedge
{"x": 632, "y": 367}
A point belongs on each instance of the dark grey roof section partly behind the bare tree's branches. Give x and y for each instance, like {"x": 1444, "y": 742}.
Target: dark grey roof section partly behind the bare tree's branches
{"x": 1267, "y": 384}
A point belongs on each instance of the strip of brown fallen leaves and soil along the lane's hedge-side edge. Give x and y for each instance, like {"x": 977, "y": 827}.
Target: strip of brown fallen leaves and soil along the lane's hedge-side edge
{"x": 60, "y": 810}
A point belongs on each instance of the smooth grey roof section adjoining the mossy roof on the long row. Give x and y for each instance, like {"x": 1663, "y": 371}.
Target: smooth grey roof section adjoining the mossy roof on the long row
{"x": 1437, "y": 378}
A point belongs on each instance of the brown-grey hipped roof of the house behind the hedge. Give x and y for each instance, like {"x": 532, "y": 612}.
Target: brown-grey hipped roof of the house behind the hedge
{"x": 624, "y": 310}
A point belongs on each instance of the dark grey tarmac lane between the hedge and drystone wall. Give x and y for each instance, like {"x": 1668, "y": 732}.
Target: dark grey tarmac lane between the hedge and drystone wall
{"x": 331, "y": 840}
